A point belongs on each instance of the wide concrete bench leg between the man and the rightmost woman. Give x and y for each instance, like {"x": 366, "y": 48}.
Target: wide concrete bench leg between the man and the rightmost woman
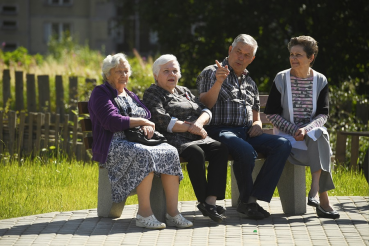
{"x": 292, "y": 189}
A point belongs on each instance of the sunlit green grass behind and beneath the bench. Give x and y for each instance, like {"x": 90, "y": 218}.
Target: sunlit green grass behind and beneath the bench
{"x": 36, "y": 187}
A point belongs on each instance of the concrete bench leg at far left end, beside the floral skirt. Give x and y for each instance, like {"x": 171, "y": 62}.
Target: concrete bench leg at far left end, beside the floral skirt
{"x": 105, "y": 206}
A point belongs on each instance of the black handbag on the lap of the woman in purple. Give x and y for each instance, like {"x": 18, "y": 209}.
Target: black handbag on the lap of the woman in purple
{"x": 137, "y": 135}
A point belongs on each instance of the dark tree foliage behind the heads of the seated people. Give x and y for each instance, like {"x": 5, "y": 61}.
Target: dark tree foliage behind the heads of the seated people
{"x": 198, "y": 32}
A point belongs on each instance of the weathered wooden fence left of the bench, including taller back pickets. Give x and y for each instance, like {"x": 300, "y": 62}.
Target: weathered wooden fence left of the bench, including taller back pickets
{"x": 31, "y": 129}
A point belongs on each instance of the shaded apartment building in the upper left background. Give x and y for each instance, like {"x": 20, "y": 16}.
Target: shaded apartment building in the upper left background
{"x": 31, "y": 24}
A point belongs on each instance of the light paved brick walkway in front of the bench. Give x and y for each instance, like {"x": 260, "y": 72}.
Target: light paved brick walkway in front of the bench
{"x": 83, "y": 227}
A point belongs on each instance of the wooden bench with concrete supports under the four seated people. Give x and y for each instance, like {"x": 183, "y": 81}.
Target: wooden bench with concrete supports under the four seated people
{"x": 291, "y": 186}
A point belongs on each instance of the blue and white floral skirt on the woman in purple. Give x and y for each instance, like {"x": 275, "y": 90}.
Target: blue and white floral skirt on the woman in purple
{"x": 128, "y": 163}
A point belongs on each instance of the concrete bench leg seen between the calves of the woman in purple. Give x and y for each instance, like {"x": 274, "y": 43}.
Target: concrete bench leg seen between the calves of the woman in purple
{"x": 157, "y": 199}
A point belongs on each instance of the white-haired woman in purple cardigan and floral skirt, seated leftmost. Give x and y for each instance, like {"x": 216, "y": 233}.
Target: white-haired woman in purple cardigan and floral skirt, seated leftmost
{"x": 131, "y": 165}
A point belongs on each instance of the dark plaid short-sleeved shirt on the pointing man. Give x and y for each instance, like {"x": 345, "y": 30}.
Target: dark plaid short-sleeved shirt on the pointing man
{"x": 235, "y": 101}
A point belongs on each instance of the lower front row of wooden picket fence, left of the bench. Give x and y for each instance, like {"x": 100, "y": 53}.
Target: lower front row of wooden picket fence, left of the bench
{"x": 34, "y": 134}
